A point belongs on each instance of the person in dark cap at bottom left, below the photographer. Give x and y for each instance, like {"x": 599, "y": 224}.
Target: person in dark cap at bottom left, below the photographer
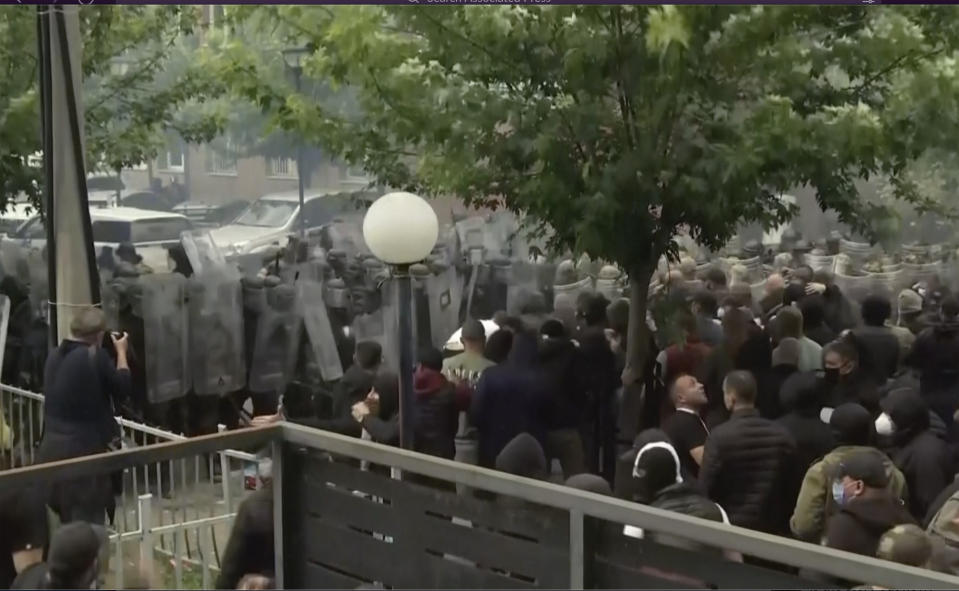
{"x": 73, "y": 560}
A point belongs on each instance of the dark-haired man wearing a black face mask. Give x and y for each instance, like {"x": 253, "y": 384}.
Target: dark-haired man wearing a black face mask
{"x": 844, "y": 381}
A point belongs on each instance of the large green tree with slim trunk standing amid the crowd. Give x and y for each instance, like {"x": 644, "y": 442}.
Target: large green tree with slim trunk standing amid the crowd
{"x": 614, "y": 128}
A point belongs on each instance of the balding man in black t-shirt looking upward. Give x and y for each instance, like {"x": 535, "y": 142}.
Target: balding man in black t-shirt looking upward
{"x": 685, "y": 428}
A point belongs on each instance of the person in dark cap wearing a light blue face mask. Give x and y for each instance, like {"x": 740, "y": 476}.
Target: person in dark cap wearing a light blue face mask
{"x": 866, "y": 509}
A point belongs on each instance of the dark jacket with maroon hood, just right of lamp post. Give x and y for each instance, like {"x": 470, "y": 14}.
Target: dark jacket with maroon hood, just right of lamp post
{"x": 437, "y": 419}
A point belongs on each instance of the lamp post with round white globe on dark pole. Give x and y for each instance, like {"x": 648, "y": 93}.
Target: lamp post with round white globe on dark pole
{"x": 401, "y": 229}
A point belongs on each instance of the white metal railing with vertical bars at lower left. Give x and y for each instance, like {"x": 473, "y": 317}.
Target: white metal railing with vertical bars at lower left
{"x": 190, "y": 512}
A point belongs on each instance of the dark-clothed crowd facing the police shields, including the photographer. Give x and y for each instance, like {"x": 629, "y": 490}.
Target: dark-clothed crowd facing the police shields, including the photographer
{"x": 799, "y": 413}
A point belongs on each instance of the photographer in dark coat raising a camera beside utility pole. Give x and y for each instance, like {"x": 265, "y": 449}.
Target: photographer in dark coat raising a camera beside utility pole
{"x": 83, "y": 386}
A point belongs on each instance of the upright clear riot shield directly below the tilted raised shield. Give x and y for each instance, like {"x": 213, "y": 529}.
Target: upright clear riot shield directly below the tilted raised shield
{"x": 216, "y": 333}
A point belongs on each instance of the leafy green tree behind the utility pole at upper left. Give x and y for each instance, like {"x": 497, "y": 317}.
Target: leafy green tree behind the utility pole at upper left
{"x": 140, "y": 68}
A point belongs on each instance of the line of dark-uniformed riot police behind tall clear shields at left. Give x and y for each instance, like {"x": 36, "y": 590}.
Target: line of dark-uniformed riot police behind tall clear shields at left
{"x": 213, "y": 333}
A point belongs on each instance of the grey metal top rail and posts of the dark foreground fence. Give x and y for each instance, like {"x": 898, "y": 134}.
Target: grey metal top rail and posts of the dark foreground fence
{"x": 578, "y": 505}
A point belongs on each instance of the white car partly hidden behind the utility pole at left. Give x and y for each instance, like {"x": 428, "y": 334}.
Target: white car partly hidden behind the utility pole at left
{"x": 151, "y": 232}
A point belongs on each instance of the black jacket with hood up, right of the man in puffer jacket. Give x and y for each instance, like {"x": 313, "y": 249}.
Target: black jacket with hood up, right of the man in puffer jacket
{"x": 800, "y": 398}
